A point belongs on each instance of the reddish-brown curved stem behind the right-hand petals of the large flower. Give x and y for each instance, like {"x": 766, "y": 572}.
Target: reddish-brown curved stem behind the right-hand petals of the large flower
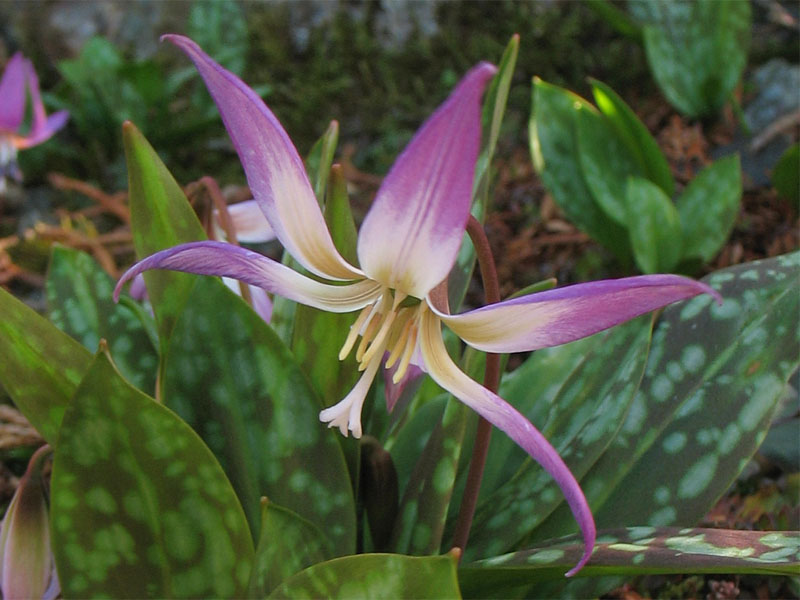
{"x": 491, "y": 380}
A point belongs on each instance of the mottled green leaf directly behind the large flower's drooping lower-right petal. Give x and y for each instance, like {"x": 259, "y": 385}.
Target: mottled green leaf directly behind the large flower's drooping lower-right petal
{"x": 579, "y": 420}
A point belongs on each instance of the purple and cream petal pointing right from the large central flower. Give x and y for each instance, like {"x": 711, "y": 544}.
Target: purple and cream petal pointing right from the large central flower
{"x": 565, "y": 314}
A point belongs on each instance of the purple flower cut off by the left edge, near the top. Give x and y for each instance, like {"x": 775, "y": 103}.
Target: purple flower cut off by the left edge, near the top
{"x": 19, "y": 79}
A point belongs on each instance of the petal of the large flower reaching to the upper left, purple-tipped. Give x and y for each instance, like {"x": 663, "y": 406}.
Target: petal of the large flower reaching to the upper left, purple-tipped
{"x": 274, "y": 170}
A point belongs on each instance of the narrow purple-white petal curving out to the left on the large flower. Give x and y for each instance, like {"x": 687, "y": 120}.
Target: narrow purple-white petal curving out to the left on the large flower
{"x": 227, "y": 260}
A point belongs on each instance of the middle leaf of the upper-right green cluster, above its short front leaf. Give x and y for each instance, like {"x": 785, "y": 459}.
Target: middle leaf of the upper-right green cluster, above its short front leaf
{"x": 606, "y": 163}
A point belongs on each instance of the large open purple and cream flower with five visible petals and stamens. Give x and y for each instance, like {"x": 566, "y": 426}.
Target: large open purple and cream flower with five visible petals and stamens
{"x": 407, "y": 245}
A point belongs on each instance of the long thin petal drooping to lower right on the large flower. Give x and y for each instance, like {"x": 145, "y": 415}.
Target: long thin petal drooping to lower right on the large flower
{"x": 506, "y": 418}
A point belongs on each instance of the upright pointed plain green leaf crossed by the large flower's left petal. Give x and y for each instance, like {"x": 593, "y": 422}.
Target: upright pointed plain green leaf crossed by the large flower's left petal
{"x": 161, "y": 217}
